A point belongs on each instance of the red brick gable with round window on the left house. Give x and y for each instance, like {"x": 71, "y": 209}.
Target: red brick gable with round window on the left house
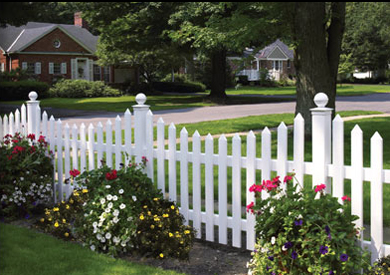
{"x": 46, "y": 43}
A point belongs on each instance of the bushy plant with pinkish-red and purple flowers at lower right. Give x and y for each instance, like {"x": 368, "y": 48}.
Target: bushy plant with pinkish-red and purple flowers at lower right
{"x": 304, "y": 231}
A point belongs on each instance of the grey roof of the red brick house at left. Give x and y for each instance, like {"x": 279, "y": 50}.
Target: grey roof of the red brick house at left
{"x": 14, "y": 39}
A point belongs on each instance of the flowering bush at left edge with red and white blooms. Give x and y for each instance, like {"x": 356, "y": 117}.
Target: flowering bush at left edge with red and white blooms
{"x": 26, "y": 175}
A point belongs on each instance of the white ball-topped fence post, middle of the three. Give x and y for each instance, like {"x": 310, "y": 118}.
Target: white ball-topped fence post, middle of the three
{"x": 140, "y": 111}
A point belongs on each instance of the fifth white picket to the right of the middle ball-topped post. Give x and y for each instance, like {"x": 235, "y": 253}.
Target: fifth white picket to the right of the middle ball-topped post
{"x": 196, "y": 185}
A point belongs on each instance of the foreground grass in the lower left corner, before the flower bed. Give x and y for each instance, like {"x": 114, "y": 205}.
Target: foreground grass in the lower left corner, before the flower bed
{"x": 24, "y": 251}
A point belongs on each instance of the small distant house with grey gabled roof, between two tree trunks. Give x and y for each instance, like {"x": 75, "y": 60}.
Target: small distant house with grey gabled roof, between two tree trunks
{"x": 276, "y": 58}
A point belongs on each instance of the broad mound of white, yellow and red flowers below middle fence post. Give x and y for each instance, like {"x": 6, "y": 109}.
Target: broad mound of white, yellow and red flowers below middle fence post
{"x": 120, "y": 211}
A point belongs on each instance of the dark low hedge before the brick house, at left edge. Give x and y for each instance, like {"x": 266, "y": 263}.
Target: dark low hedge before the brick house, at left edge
{"x": 10, "y": 90}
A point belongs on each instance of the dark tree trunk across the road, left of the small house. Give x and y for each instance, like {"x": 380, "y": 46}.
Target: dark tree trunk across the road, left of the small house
{"x": 218, "y": 70}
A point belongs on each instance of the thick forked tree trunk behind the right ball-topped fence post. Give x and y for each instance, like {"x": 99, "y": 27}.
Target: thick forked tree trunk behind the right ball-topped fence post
{"x": 317, "y": 54}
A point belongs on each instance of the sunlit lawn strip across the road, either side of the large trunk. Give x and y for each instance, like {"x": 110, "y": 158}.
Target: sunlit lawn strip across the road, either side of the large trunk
{"x": 342, "y": 90}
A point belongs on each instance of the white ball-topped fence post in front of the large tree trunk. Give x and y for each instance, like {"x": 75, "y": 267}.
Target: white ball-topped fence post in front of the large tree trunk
{"x": 321, "y": 140}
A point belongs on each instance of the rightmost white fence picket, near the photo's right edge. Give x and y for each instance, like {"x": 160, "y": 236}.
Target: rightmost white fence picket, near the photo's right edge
{"x": 376, "y": 196}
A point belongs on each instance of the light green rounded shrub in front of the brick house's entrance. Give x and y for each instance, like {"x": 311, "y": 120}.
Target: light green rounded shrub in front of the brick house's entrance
{"x": 81, "y": 88}
